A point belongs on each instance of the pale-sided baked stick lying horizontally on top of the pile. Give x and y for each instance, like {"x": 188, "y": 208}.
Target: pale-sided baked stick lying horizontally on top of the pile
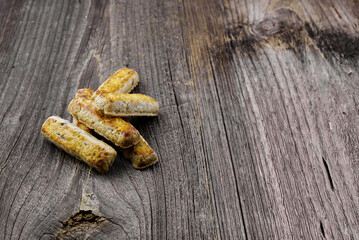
{"x": 123, "y": 105}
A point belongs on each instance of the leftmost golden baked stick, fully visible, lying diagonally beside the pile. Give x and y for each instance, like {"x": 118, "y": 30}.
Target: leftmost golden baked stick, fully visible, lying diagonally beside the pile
{"x": 79, "y": 143}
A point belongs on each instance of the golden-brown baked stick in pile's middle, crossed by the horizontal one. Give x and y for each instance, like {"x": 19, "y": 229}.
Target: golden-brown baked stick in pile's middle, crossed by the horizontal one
{"x": 116, "y": 130}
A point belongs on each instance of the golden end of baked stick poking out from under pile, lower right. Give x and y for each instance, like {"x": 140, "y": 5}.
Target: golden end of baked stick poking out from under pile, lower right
{"x": 141, "y": 155}
